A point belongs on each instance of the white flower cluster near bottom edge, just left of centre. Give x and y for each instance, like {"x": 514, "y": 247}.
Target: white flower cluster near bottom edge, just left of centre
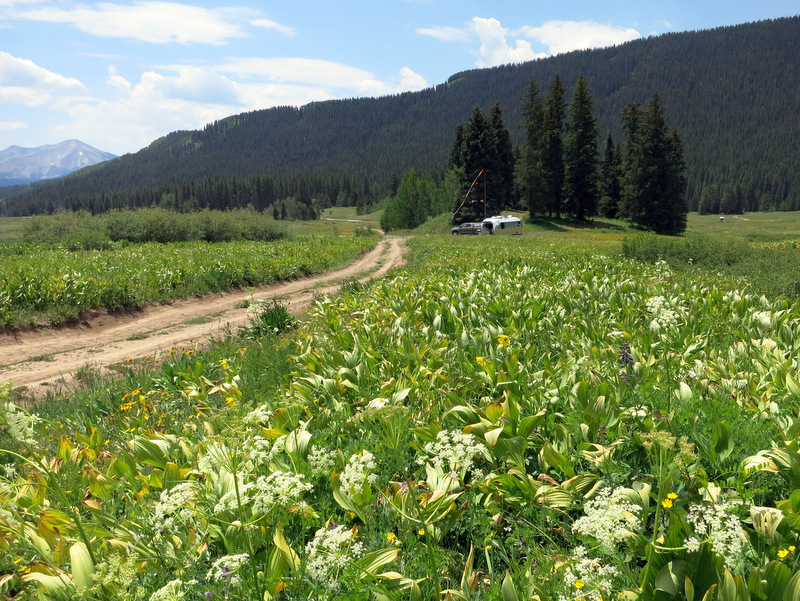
{"x": 331, "y": 550}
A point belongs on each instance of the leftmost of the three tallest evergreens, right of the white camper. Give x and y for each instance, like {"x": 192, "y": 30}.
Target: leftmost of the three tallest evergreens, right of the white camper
{"x": 529, "y": 167}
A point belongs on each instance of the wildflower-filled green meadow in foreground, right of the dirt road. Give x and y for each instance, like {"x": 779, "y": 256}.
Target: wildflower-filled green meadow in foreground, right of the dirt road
{"x": 535, "y": 417}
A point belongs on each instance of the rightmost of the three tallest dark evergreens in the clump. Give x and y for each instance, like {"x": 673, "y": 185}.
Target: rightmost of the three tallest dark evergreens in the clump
{"x": 580, "y": 153}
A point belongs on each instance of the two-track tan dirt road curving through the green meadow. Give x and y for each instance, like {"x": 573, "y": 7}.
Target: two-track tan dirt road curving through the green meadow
{"x": 50, "y": 359}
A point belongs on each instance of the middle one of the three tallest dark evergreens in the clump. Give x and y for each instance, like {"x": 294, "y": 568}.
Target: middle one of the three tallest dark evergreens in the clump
{"x": 553, "y": 156}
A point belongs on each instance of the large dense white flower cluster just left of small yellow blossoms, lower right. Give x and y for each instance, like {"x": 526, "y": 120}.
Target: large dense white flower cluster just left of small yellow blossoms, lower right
{"x": 610, "y": 518}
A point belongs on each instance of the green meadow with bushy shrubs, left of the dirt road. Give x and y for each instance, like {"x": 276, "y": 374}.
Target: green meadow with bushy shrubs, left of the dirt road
{"x": 56, "y": 267}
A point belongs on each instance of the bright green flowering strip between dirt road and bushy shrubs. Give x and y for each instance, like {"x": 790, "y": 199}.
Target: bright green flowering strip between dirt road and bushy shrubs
{"x": 49, "y": 283}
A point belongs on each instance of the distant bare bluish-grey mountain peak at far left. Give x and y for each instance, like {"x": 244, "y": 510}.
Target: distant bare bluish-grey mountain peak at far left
{"x": 19, "y": 165}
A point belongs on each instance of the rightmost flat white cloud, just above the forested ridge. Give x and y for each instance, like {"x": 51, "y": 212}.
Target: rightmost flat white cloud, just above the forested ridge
{"x": 565, "y": 36}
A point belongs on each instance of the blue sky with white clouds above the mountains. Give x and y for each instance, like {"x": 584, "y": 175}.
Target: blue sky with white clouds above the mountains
{"x": 119, "y": 74}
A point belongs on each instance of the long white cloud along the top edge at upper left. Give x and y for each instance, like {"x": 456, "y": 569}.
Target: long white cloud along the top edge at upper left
{"x": 147, "y": 21}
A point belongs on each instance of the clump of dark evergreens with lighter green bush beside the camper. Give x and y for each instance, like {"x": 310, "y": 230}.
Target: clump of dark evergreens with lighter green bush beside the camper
{"x": 558, "y": 171}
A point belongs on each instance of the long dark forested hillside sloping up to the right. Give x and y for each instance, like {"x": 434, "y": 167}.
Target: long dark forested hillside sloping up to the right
{"x": 731, "y": 92}
